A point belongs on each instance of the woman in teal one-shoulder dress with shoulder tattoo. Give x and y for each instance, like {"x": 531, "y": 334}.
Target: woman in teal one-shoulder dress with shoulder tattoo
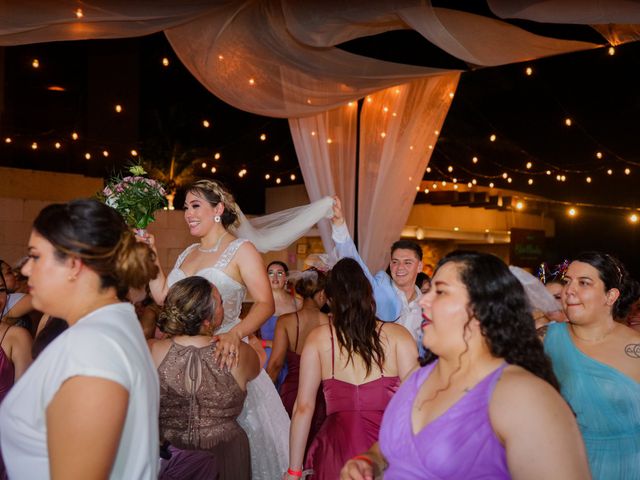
{"x": 597, "y": 361}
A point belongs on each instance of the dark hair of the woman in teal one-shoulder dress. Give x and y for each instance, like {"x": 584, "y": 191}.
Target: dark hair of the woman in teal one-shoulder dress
{"x": 614, "y": 275}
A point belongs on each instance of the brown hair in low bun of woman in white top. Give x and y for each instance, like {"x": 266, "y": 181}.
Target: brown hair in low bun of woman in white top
{"x": 98, "y": 235}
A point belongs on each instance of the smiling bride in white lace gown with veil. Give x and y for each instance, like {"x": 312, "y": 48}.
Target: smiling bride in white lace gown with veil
{"x": 236, "y": 268}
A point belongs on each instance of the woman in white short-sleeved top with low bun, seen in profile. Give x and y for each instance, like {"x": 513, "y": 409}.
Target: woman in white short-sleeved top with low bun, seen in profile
{"x": 88, "y": 406}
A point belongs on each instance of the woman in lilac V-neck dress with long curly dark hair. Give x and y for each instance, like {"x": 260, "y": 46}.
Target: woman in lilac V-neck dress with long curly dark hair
{"x": 488, "y": 405}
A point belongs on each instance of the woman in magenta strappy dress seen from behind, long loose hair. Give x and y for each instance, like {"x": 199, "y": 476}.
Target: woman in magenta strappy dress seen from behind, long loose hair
{"x": 359, "y": 361}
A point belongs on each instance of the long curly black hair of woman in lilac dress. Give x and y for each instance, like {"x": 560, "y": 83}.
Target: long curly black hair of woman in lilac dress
{"x": 499, "y": 302}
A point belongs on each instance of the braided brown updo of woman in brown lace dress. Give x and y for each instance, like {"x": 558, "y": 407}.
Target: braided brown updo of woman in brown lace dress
{"x": 189, "y": 303}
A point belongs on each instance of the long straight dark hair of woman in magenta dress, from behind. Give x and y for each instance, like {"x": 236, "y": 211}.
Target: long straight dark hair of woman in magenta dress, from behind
{"x": 354, "y": 313}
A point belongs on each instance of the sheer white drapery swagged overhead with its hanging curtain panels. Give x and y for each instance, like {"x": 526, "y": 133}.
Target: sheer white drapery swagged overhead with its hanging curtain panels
{"x": 279, "y": 58}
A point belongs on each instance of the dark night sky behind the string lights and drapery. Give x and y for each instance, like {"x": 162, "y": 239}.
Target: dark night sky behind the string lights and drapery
{"x": 164, "y": 108}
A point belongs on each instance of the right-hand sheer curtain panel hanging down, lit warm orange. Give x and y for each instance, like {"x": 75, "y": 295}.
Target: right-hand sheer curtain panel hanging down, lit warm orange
{"x": 400, "y": 127}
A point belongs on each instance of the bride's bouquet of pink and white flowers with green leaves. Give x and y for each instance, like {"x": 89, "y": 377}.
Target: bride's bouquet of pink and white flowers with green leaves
{"x": 135, "y": 197}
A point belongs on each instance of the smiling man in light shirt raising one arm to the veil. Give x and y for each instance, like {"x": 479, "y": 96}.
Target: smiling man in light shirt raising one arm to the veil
{"x": 396, "y": 296}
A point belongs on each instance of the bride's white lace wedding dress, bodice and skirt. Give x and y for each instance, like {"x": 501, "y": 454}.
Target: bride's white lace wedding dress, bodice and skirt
{"x": 263, "y": 418}
